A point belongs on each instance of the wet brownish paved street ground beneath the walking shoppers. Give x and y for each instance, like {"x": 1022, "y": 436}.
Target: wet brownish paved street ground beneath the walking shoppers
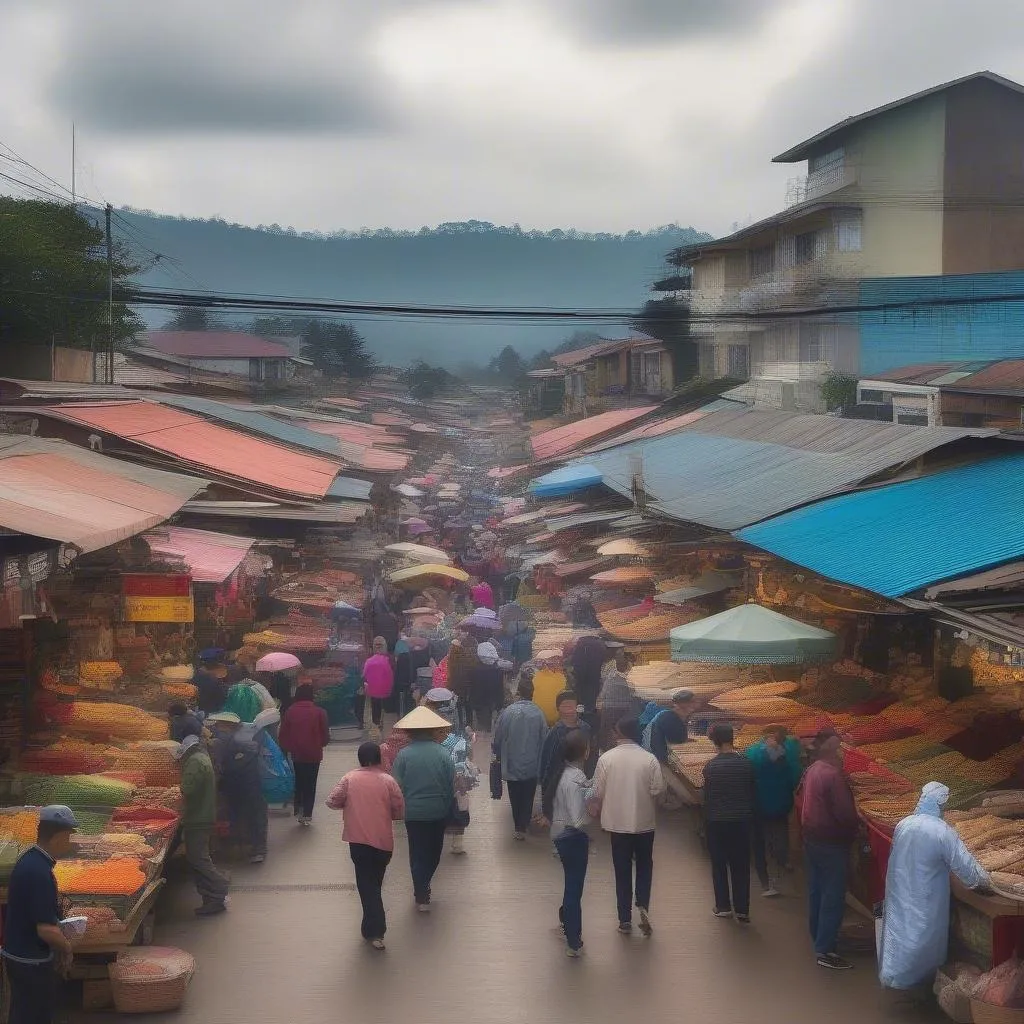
{"x": 289, "y": 949}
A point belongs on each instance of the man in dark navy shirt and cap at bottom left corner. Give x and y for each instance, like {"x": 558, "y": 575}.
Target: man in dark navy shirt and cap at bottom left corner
{"x": 34, "y": 946}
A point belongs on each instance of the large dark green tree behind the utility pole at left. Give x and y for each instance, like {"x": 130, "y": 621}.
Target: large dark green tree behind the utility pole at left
{"x": 54, "y": 279}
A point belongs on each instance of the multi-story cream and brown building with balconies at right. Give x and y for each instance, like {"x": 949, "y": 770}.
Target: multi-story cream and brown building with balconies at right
{"x": 898, "y": 206}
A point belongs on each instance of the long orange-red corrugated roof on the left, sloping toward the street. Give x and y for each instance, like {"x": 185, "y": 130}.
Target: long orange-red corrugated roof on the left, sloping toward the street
{"x": 191, "y": 440}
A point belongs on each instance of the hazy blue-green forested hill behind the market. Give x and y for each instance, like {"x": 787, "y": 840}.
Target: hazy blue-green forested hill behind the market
{"x": 474, "y": 264}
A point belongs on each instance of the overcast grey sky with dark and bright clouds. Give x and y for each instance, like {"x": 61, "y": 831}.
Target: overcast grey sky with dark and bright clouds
{"x": 596, "y": 114}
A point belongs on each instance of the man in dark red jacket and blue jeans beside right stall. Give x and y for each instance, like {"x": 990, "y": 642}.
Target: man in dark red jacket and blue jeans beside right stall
{"x": 830, "y": 823}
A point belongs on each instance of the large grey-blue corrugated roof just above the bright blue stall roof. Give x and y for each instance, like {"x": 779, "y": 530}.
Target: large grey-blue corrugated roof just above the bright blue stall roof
{"x": 735, "y": 468}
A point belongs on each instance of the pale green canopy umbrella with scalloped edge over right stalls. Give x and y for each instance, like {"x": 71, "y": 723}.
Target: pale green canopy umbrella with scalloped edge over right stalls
{"x": 751, "y": 634}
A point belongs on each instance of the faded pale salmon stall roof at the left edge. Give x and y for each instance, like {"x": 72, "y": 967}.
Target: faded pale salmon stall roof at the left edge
{"x": 113, "y": 500}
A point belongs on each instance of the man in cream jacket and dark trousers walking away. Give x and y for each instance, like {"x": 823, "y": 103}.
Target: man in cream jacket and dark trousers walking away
{"x": 627, "y": 785}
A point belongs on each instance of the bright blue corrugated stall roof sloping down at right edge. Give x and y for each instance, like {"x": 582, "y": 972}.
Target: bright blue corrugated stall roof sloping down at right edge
{"x": 898, "y": 539}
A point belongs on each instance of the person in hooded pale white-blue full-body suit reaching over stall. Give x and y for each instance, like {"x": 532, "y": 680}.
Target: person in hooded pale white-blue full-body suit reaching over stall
{"x": 916, "y": 919}
